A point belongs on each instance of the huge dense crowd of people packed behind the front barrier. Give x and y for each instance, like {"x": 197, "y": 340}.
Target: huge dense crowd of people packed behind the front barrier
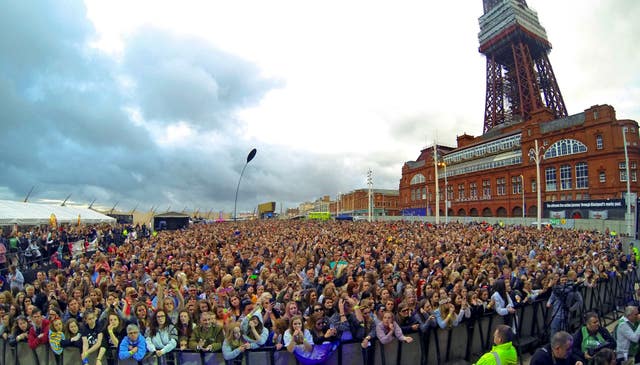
{"x": 298, "y": 286}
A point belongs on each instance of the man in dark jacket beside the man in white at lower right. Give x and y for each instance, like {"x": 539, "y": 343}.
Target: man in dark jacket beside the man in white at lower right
{"x": 591, "y": 338}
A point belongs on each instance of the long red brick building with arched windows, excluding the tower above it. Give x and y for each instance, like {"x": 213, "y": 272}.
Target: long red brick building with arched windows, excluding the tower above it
{"x": 581, "y": 158}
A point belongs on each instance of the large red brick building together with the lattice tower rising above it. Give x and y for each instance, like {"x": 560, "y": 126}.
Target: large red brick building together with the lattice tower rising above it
{"x": 581, "y": 157}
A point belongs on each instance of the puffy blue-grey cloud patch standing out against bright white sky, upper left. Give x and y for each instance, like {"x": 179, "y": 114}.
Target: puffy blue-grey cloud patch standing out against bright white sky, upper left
{"x": 184, "y": 78}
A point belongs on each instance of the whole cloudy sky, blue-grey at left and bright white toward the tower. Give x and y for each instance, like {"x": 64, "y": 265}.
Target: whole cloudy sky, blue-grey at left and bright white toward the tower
{"x": 157, "y": 103}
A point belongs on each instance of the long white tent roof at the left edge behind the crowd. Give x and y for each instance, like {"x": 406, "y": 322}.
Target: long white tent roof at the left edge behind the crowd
{"x": 12, "y": 212}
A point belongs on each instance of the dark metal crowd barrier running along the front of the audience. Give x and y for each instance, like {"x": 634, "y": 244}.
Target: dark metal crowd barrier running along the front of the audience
{"x": 464, "y": 343}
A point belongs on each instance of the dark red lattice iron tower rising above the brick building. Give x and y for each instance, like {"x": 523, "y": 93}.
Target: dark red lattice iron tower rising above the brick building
{"x": 520, "y": 79}
